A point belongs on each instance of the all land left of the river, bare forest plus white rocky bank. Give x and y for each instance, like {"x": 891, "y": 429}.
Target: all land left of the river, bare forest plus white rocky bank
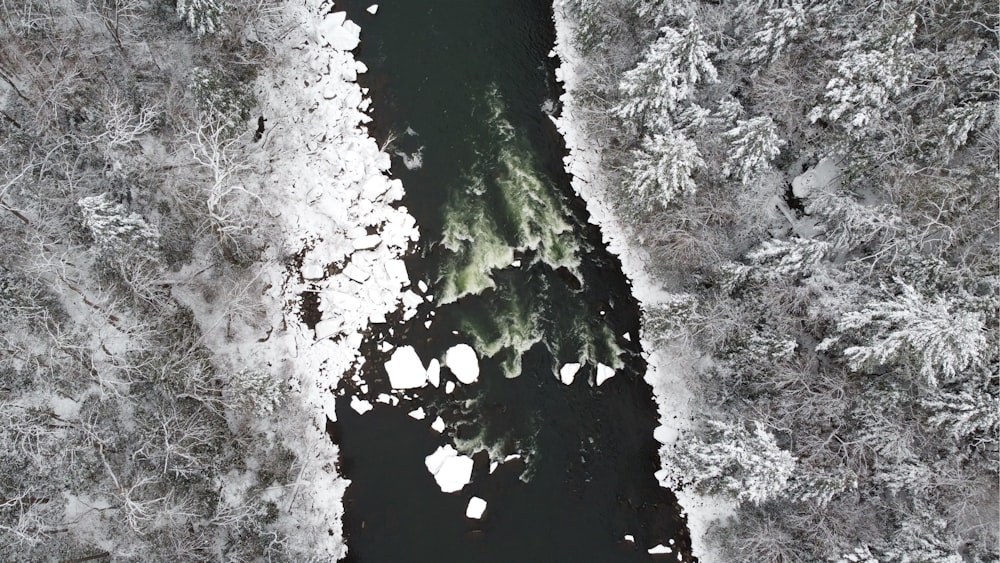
{"x": 181, "y": 183}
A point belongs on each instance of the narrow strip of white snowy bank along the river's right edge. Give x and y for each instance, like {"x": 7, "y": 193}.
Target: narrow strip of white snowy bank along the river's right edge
{"x": 667, "y": 368}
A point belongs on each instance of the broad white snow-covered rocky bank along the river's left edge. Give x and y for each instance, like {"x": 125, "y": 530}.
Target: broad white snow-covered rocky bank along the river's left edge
{"x": 334, "y": 263}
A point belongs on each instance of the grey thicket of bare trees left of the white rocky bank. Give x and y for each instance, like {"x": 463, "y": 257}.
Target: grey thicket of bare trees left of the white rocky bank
{"x": 124, "y": 134}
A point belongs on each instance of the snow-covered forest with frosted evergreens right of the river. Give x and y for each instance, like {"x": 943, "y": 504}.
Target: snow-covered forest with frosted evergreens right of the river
{"x": 815, "y": 187}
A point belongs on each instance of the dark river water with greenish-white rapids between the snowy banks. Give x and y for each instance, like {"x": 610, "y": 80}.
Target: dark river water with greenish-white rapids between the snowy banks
{"x": 515, "y": 271}
